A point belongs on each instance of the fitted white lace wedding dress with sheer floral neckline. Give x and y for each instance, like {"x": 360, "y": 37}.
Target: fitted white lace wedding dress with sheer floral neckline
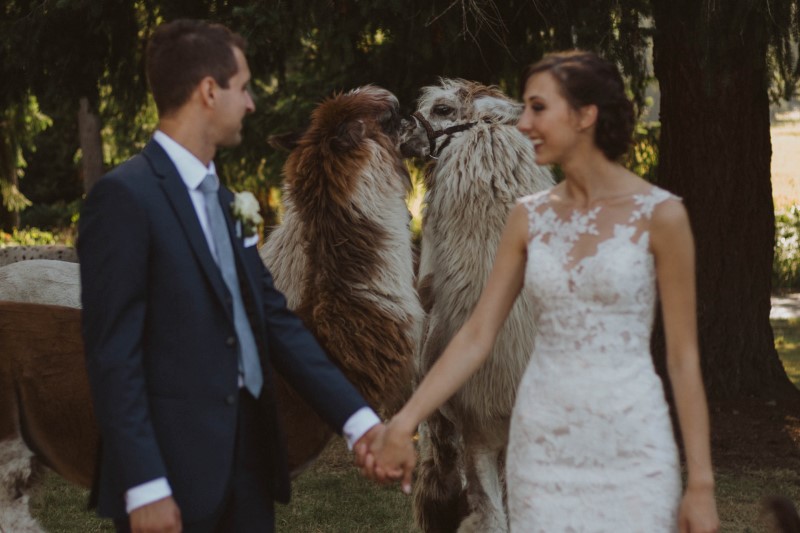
{"x": 591, "y": 446}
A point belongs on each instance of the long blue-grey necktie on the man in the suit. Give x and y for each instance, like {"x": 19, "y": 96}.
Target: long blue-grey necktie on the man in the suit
{"x": 248, "y": 353}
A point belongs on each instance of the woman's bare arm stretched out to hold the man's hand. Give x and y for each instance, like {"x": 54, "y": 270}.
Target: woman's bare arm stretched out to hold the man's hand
{"x": 467, "y": 350}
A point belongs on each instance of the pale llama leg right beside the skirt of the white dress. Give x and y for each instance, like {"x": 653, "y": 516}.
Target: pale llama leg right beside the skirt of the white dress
{"x": 485, "y": 491}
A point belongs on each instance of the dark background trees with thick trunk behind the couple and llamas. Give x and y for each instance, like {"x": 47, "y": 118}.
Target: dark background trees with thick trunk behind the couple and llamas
{"x": 74, "y": 103}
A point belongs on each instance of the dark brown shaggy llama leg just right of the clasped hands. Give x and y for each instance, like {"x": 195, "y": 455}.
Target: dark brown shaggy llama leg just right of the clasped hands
{"x": 438, "y": 486}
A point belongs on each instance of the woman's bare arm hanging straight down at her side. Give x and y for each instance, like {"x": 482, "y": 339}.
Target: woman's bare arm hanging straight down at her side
{"x": 673, "y": 248}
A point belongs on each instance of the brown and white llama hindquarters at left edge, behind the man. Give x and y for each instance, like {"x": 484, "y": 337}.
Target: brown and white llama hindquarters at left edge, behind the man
{"x": 53, "y": 411}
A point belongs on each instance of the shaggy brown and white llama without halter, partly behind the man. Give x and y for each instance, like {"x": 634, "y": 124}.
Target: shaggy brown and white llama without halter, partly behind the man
{"x": 342, "y": 256}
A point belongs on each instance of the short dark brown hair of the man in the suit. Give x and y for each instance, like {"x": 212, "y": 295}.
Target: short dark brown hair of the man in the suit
{"x": 183, "y": 52}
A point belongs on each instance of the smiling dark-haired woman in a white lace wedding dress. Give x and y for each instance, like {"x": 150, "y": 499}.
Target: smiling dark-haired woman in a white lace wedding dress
{"x": 591, "y": 445}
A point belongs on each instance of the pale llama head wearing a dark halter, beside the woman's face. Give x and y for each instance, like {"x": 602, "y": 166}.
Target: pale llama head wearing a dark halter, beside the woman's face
{"x": 452, "y": 104}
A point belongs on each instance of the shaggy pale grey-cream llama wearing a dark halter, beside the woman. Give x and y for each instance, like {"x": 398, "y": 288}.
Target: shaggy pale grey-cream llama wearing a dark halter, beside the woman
{"x": 481, "y": 165}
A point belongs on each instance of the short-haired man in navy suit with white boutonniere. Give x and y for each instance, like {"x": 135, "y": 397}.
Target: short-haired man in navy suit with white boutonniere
{"x": 181, "y": 321}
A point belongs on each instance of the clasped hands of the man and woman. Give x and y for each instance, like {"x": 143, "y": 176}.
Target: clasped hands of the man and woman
{"x": 386, "y": 453}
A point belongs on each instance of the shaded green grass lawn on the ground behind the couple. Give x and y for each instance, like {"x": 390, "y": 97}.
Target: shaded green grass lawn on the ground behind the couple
{"x": 331, "y": 496}
